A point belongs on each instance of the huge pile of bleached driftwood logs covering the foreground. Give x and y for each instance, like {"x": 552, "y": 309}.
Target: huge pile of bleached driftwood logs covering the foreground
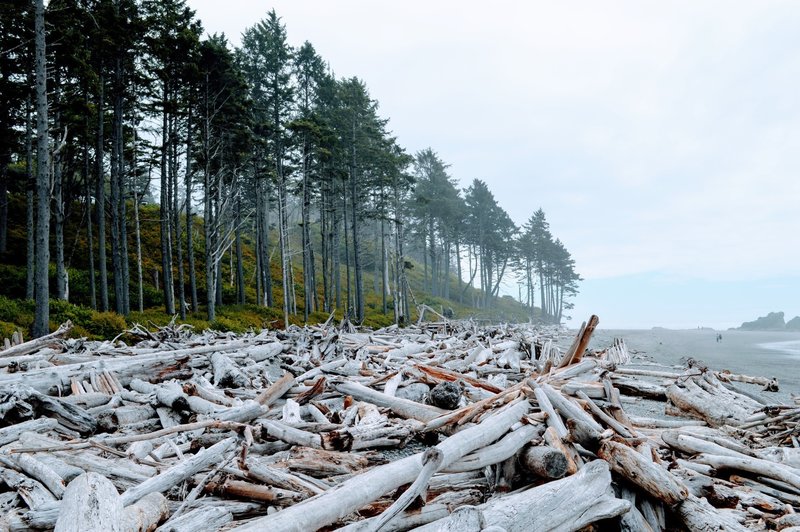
{"x": 445, "y": 426}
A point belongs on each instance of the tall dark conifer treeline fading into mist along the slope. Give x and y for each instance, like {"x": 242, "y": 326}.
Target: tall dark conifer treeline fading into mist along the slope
{"x": 111, "y": 104}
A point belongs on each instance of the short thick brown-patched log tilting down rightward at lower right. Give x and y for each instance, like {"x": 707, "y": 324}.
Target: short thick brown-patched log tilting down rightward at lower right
{"x": 654, "y": 479}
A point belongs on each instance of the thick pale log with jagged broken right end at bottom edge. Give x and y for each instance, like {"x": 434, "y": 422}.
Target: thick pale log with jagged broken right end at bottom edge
{"x": 567, "y": 504}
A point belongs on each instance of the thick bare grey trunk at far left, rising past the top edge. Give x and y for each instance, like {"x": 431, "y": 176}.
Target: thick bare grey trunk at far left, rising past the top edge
{"x": 41, "y": 324}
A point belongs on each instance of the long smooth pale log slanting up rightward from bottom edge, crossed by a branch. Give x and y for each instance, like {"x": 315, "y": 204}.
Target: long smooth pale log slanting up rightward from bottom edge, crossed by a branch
{"x": 354, "y": 493}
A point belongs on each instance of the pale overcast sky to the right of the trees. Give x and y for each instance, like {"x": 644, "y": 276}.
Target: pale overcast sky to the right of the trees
{"x": 662, "y": 139}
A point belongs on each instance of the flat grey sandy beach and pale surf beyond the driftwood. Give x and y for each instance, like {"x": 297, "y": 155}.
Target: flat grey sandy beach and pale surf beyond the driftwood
{"x": 756, "y": 353}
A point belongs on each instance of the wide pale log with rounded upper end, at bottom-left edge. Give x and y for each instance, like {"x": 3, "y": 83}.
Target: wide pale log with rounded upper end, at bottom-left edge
{"x": 91, "y": 504}
